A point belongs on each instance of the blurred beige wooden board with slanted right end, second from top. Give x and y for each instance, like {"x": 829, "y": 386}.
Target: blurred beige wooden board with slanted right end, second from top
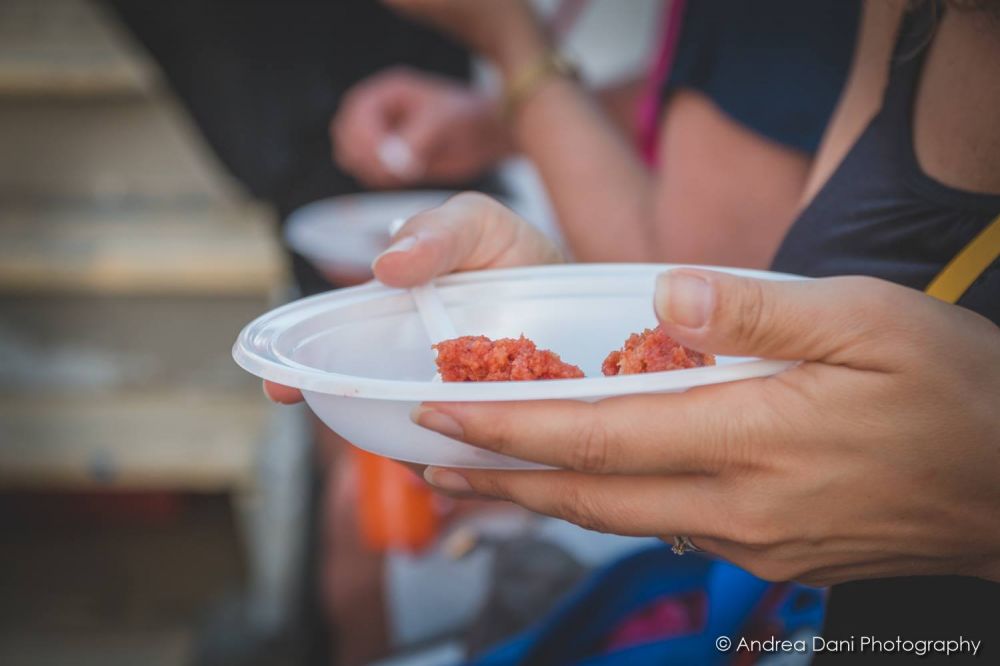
{"x": 100, "y": 152}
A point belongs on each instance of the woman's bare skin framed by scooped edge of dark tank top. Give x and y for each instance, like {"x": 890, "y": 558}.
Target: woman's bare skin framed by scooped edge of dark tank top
{"x": 956, "y": 133}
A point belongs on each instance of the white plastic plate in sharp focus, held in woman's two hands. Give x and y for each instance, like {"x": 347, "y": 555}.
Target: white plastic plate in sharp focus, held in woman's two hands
{"x": 363, "y": 361}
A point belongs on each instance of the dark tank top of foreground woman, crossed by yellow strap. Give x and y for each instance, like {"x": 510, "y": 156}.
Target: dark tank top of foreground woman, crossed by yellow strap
{"x": 879, "y": 214}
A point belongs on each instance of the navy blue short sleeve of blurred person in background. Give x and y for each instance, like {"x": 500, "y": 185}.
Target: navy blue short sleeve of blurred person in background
{"x": 775, "y": 66}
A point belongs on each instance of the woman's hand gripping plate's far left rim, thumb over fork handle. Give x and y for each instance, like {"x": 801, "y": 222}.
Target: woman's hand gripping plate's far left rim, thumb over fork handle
{"x": 468, "y": 232}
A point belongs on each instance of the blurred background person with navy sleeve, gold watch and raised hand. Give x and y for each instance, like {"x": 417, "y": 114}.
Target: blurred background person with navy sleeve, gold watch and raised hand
{"x": 728, "y": 120}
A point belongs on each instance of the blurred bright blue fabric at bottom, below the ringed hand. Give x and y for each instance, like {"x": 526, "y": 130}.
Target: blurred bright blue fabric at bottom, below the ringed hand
{"x": 576, "y": 630}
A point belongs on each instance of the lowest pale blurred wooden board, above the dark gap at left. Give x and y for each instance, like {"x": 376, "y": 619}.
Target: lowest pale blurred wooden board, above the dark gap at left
{"x": 176, "y": 440}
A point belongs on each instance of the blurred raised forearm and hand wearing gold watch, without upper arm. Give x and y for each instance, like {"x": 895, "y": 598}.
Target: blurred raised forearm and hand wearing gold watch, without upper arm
{"x": 600, "y": 190}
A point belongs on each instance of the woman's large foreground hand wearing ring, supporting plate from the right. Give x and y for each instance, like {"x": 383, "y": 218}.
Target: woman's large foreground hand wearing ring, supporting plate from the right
{"x": 878, "y": 455}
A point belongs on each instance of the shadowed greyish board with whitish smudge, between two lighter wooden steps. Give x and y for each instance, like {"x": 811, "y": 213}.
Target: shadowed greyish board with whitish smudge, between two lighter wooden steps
{"x": 95, "y": 344}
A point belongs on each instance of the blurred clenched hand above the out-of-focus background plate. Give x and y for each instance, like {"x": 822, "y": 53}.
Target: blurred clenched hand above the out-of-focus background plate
{"x": 403, "y": 127}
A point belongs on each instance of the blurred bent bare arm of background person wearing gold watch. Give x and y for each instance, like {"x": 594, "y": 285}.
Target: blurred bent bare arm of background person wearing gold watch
{"x": 730, "y": 194}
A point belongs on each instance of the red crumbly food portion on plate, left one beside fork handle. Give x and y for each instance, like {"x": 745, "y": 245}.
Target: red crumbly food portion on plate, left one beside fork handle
{"x": 476, "y": 358}
